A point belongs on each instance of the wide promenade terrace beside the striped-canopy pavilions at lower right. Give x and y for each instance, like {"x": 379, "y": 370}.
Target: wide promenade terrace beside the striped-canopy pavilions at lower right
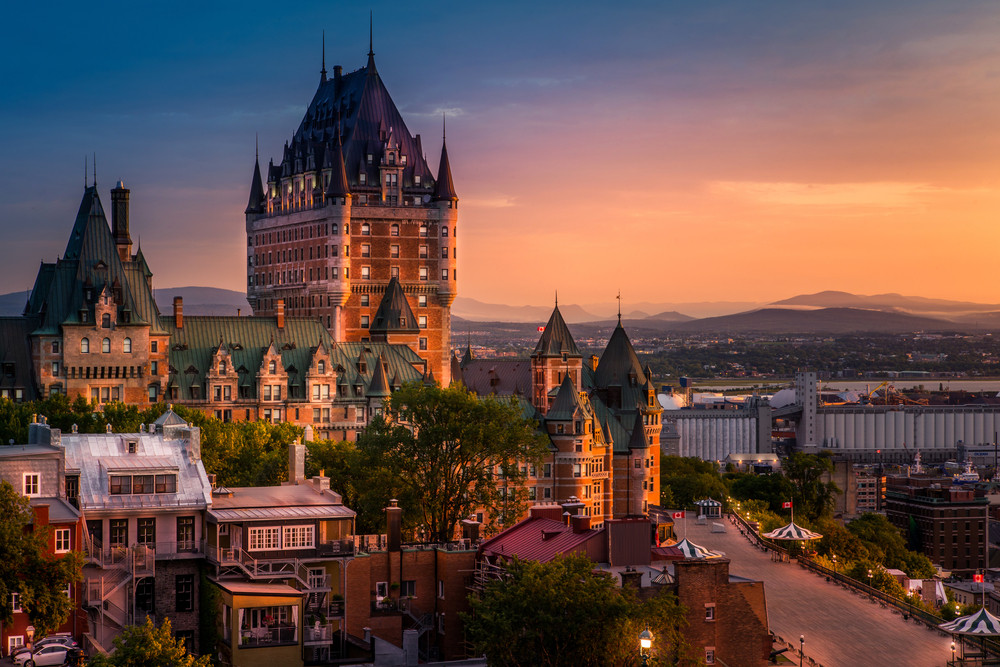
{"x": 841, "y": 629}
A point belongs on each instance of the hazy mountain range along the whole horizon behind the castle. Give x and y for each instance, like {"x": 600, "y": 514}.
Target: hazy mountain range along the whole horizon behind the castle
{"x": 823, "y": 312}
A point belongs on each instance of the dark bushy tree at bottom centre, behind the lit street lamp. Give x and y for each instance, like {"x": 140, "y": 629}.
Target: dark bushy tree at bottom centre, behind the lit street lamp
{"x": 563, "y": 613}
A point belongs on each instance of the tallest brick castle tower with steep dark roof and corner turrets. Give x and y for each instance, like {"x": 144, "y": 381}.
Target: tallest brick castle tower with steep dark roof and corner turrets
{"x": 352, "y": 205}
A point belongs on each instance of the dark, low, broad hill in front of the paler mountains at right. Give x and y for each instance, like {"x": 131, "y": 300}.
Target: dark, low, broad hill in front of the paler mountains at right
{"x": 823, "y": 320}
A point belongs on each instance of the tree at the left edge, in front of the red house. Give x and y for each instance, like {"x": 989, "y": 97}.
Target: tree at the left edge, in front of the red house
{"x": 27, "y": 567}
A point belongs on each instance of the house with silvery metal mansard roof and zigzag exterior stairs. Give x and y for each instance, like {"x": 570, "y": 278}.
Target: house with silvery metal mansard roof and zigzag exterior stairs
{"x": 143, "y": 498}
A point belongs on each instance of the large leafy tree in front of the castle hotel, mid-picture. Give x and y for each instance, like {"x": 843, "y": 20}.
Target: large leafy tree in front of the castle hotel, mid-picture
{"x": 455, "y": 453}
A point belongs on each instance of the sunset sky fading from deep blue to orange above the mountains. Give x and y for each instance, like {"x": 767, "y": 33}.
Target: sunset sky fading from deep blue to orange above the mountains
{"x": 676, "y": 151}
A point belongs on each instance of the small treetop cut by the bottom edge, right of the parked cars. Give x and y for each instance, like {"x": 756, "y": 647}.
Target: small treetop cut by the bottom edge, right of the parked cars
{"x": 149, "y": 646}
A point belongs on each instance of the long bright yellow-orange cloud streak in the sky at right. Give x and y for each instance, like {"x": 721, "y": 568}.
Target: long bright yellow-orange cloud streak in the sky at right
{"x": 874, "y": 194}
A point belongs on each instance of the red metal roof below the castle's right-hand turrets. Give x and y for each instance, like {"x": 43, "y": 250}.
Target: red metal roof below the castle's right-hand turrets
{"x": 538, "y": 539}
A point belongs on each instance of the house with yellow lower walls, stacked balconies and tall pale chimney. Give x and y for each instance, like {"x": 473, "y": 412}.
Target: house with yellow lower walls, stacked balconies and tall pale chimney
{"x": 278, "y": 555}
